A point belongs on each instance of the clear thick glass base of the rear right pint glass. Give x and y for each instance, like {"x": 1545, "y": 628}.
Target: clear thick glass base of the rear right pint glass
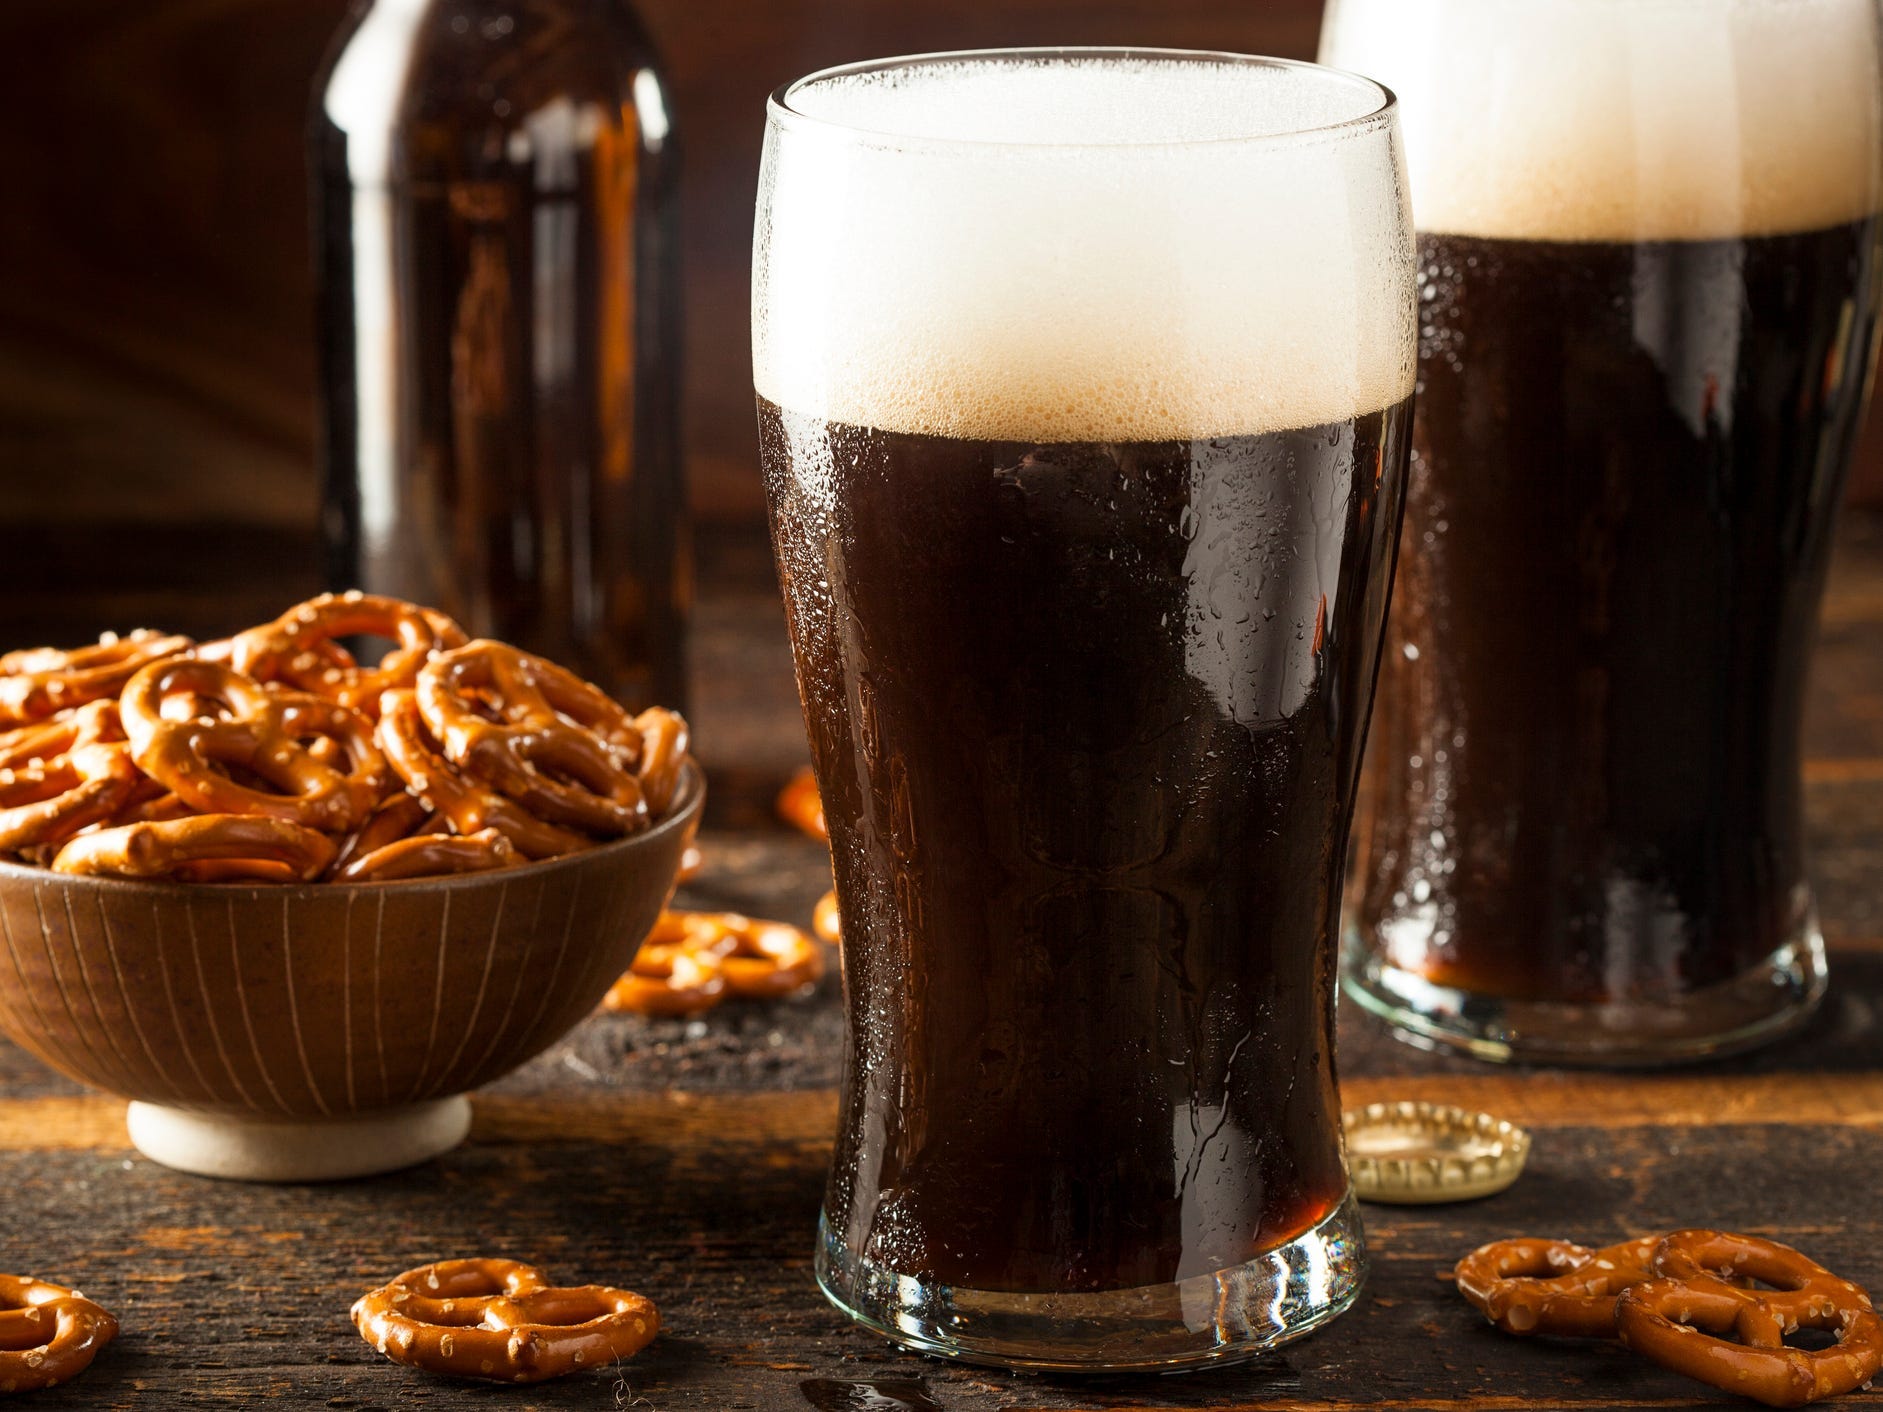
{"x": 1756, "y": 1008}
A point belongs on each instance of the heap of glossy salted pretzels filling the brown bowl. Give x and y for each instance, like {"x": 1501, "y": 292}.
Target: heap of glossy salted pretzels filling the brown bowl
{"x": 276, "y": 758}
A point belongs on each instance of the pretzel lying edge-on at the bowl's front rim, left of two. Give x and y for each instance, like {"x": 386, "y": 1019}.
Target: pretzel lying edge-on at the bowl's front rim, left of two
{"x": 202, "y": 848}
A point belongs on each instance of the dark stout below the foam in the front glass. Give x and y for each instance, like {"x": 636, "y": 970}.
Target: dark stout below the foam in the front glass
{"x": 1084, "y": 722}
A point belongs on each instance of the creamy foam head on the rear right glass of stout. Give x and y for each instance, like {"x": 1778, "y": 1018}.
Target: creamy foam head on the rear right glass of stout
{"x": 1626, "y": 120}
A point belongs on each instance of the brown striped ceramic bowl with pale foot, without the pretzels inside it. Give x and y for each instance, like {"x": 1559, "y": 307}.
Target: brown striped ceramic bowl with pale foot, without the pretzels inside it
{"x": 323, "y": 1031}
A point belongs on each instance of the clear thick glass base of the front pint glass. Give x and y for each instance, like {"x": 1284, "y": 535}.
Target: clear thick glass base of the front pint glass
{"x": 1210, "y": 1319}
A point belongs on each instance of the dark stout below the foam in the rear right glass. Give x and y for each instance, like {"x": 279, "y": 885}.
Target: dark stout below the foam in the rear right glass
{"x": 1585, "y": 771}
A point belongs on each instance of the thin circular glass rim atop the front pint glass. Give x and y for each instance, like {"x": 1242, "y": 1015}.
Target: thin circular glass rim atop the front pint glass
{"x": 782, "y": 116}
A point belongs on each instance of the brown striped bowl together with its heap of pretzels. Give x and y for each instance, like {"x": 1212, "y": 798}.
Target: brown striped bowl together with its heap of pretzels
{"x": 295, "y": 903}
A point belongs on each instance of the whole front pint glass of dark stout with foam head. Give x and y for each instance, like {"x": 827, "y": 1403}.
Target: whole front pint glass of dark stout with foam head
{"x": 1084, "y": 400}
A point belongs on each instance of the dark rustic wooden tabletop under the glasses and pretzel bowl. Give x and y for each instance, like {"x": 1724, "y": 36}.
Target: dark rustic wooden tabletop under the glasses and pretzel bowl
{"x": 686, "y": 1159}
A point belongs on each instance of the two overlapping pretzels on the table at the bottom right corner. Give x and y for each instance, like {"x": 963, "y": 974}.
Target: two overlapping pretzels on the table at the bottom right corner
{"x": 1677, "y": 1298}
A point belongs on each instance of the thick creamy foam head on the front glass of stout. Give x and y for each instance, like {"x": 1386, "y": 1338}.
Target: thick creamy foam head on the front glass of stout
{"x": 1082, "y": 249}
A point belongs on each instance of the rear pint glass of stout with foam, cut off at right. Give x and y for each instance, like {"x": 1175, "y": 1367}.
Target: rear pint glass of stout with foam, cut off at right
{"x": 1649, "y": 308}
